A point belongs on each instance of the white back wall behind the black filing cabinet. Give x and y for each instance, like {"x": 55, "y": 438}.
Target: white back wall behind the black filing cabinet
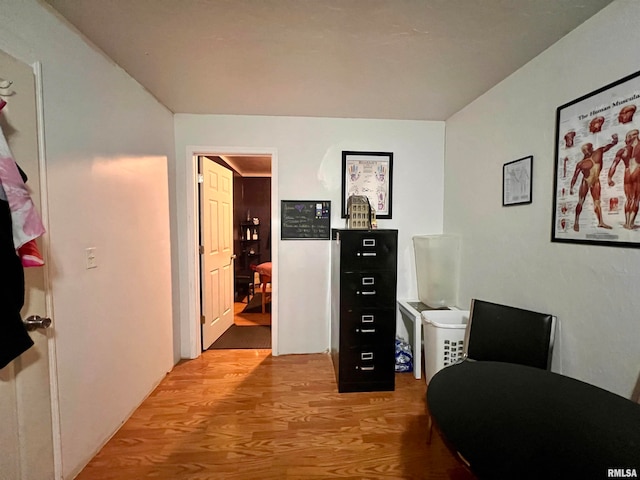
{"x": 309, "y": 152}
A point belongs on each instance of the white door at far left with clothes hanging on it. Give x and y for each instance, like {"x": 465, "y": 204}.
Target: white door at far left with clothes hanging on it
{"x": 26, "y": 433}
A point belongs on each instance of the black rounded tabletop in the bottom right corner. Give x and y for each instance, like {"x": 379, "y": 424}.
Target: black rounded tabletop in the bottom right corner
{"x": 515, "y": 422}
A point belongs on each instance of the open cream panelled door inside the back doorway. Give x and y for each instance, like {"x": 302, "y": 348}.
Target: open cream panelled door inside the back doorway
{"x": 216, "y": 259}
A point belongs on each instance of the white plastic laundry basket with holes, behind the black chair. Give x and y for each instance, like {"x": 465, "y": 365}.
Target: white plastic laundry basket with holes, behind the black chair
{"x": 443, "y": 338}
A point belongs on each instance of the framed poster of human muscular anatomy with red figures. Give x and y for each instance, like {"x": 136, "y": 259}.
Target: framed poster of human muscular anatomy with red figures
{"x": 596, "y": 176}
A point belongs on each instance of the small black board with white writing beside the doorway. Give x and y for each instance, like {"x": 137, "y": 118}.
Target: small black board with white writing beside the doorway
{"x": 305, "y": 220}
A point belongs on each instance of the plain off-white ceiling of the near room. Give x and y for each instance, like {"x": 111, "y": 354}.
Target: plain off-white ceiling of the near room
{"x": 385, "y": 59}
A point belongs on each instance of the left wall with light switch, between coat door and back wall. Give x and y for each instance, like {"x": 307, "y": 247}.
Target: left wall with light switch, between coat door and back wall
{"x": 108, "y": 147}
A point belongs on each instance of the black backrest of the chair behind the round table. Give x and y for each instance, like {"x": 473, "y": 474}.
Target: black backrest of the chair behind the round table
{"x": 501, "y": 333}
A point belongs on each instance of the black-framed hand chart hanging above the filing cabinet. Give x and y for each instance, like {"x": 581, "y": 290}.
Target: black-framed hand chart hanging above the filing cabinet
{"x": 369, "y": 174}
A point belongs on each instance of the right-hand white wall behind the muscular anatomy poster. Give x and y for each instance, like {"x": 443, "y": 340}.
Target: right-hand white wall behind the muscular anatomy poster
{"x": 507, "y": 253}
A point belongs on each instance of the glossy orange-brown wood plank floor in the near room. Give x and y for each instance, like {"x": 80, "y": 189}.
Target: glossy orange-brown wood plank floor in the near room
{"x": 244, "y": 414}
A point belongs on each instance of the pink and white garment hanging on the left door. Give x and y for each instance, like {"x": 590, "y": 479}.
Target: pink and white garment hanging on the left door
{"x": 26, "y": 222}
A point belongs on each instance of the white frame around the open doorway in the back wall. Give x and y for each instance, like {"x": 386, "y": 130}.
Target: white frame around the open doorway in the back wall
{"x": 190, "y": 282}
